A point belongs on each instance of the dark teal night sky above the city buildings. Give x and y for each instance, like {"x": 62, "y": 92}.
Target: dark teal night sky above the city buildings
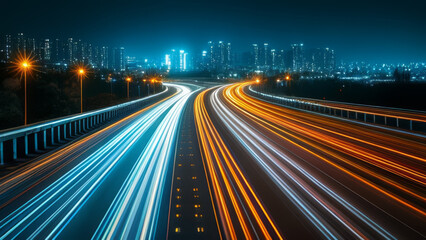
{"x": 374, "y": 31}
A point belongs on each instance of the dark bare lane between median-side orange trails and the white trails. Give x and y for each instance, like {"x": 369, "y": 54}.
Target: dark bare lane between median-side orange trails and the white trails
{"x": 289, "y": 221}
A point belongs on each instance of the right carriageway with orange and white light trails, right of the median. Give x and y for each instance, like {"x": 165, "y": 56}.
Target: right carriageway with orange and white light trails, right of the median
{"x": 276, "y": 172}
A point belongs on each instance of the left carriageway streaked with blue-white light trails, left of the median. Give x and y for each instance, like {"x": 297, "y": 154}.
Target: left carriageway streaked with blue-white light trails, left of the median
{"x": 114, "y": 183}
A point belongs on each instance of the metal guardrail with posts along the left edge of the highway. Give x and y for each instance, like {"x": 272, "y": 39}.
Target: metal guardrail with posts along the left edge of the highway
{"x": 39, "y": 135}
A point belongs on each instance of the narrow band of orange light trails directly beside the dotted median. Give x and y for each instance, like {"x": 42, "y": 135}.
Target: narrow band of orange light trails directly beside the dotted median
{"x": 224, "y": 173}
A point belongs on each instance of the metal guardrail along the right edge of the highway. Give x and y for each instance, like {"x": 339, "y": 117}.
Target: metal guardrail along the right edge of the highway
{"x": 370, "y": 116}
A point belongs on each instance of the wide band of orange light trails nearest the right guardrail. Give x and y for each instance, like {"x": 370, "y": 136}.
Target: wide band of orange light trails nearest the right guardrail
{"x": 309, "y": 130}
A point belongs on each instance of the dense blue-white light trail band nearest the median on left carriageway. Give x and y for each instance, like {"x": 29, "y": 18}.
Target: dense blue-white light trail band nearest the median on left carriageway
{"x": 134, "y": 212}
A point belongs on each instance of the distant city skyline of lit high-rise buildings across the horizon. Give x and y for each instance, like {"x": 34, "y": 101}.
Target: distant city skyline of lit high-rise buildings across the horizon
{"x": 217, "y": 58}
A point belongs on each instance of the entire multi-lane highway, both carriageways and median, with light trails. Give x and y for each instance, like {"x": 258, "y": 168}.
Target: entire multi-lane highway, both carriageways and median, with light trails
{"x": 209, "y": 161}
